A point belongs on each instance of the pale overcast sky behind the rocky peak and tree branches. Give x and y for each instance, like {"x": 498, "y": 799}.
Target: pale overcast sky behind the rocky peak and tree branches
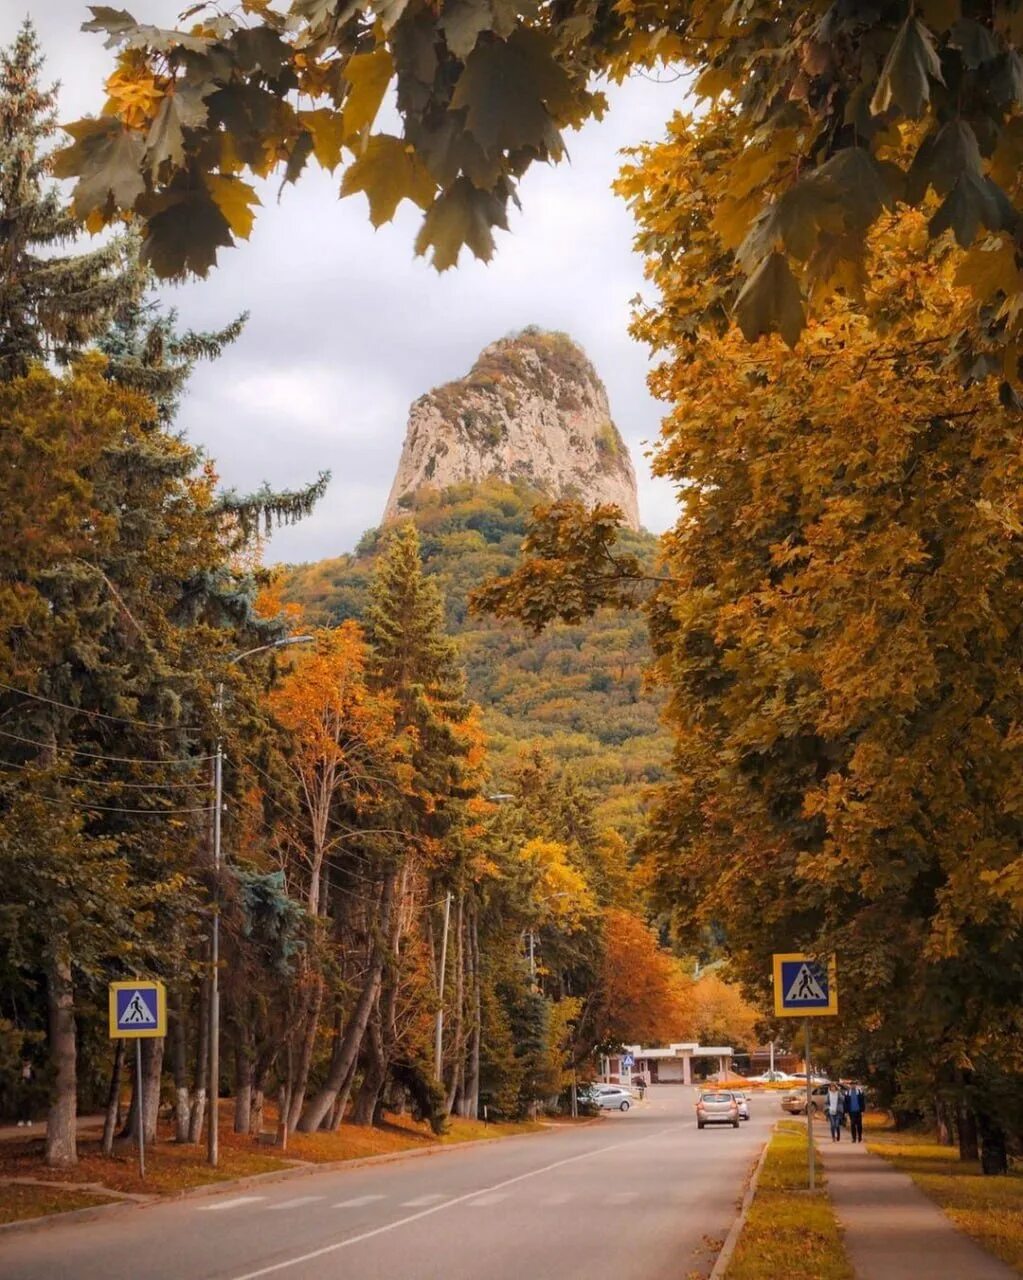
{"x": 348, "y": 328}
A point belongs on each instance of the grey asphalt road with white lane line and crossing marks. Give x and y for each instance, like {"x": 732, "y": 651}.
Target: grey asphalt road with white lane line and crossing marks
{"x": 634, "y": 1197}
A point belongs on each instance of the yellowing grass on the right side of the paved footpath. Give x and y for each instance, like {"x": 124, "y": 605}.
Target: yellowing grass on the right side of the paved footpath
{"x": 990, "y": 1210}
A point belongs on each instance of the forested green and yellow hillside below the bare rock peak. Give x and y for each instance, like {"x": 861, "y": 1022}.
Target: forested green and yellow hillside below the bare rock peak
{"x": 577, "y": 691}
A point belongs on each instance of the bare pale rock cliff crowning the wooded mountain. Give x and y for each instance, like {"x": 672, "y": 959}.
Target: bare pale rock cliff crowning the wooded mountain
{"x": 531, "y": 409}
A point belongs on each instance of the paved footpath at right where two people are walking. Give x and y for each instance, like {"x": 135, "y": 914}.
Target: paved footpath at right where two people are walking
{"x": 893, "y": 1232}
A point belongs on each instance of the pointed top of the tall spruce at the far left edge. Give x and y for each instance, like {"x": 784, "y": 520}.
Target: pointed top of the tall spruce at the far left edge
{"x": 52, "y": 303}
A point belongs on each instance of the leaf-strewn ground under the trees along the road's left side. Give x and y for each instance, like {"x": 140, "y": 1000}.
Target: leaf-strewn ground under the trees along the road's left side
{"x": 172, "y": 1168}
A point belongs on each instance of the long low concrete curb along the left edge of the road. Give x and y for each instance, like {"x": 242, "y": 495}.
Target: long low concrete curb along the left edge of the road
{"x": 299, "y": 1171}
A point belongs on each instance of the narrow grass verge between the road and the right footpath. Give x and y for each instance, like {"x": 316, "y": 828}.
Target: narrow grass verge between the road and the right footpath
{"x": 789, "y": 1232}
